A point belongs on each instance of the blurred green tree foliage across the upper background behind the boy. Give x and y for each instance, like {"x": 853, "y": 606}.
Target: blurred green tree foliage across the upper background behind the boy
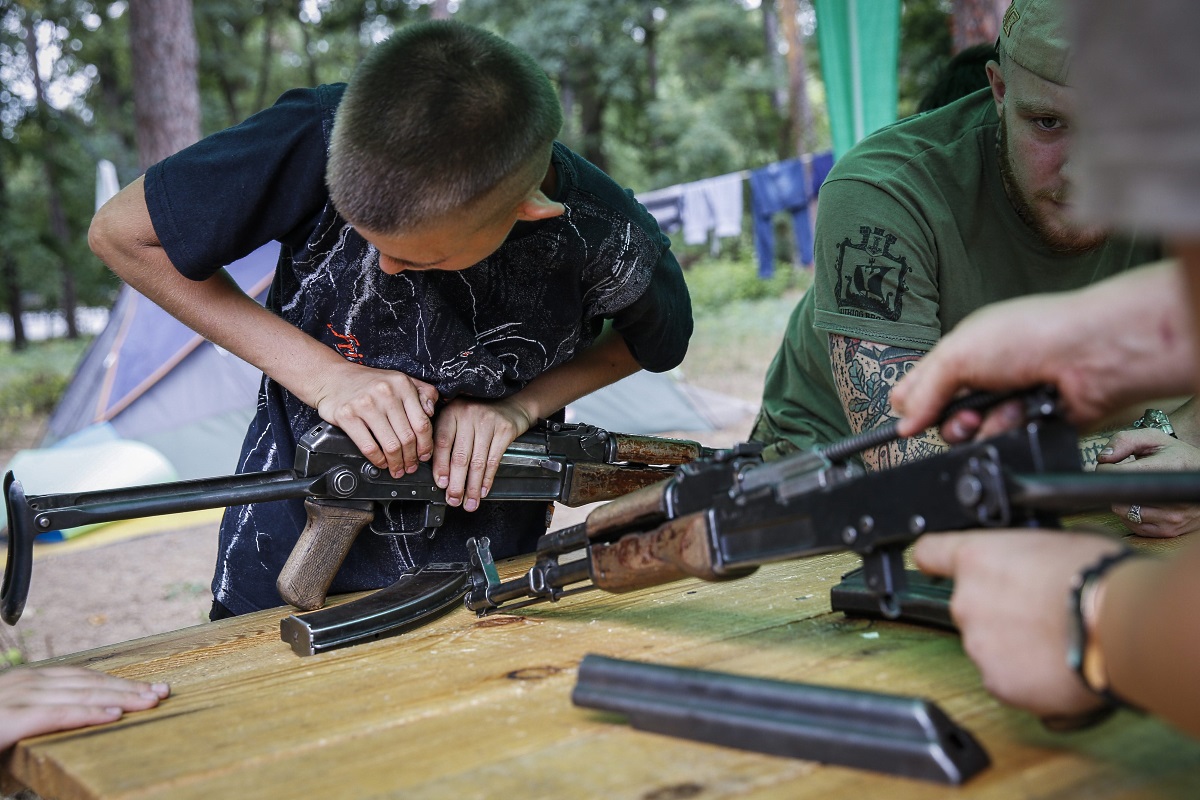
{"x": 656, "y": 92}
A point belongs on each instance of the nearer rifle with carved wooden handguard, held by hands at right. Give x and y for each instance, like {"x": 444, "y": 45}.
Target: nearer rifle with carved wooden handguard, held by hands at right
{"x": 722, "y": 518}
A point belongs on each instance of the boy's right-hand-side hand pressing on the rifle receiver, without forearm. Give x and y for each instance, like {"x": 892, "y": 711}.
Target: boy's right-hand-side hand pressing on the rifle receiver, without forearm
{"x": 471, "y": 437}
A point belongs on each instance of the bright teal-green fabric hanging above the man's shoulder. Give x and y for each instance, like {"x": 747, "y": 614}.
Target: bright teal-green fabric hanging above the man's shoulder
{"x": 860, "y": 44}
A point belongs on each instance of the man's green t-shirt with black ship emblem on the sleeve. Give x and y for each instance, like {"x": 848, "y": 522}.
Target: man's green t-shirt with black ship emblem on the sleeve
{"x": 915, "y": 233}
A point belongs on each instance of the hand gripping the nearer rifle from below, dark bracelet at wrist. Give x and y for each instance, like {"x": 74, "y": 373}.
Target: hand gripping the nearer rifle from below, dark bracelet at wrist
{"x": 1011, "y": 605}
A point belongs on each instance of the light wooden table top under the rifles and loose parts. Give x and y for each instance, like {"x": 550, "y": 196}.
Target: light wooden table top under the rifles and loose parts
{"x": 481, "y": 708}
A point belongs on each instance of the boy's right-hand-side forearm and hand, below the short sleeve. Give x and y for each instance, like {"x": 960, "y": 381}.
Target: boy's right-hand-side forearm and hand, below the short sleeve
{"x": 471, "y": 436}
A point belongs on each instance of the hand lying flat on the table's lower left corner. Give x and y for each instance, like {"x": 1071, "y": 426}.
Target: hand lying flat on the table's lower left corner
{"x": 43, "y": 700}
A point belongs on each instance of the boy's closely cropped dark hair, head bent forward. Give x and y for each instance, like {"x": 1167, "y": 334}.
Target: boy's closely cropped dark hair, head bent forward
{"x": 434, "y": 119}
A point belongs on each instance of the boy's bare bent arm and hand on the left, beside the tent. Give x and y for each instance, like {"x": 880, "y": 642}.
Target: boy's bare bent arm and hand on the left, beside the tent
{"x": 386, "y": 413}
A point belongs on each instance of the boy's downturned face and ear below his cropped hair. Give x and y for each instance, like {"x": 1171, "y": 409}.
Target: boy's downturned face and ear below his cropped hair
{"x": 460, "y": 242}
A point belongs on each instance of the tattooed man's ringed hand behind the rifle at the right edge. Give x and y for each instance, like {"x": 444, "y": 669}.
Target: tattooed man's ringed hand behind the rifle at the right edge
{"x": 1149, "y": 449}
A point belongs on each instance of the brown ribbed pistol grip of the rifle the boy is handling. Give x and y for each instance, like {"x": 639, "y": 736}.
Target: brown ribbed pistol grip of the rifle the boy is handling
{"x": 322, "y": 548}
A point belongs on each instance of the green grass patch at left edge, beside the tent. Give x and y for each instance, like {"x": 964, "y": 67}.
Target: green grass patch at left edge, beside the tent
{"x": 32, "y": 382}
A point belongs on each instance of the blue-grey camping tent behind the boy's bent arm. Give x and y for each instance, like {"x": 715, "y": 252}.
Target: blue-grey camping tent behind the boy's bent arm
{"x": 148, "y": 378}
